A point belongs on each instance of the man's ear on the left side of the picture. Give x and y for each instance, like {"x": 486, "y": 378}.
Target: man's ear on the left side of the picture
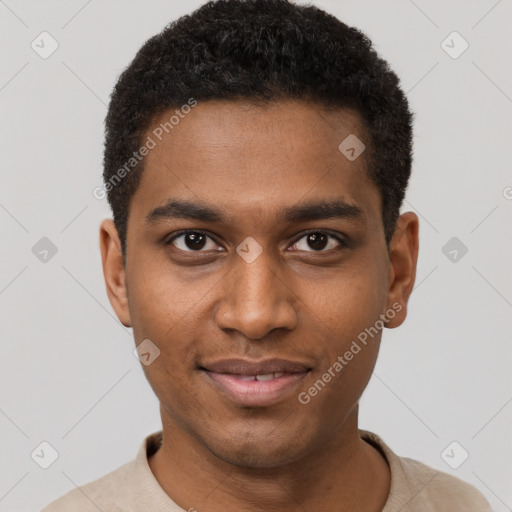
{"x": 113, "y": 270}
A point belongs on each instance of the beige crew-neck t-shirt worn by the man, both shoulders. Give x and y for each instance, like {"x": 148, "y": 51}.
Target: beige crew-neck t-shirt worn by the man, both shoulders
{"x": 133, "y": 488}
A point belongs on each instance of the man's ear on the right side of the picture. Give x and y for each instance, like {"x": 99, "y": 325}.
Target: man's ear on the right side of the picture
{"x": 403, "y": 257}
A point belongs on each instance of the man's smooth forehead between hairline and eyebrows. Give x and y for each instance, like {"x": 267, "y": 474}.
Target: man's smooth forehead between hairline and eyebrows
{"x": 256, "y": 158}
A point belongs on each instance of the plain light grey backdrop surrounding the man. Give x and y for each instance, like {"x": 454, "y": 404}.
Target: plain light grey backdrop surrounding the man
{"x": 67, "y": 372}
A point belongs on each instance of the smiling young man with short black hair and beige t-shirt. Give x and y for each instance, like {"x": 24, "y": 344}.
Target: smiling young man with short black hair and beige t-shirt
{"x": 257, "y": 154}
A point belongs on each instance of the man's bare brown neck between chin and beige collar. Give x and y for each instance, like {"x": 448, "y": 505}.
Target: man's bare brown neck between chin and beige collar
{"x": 345, "y": 473}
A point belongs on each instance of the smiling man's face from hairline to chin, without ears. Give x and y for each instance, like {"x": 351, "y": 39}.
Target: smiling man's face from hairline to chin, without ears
{"x": 320, "y": 280}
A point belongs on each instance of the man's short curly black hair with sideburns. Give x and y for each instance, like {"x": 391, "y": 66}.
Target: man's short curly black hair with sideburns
{"x": 261, "y": 50}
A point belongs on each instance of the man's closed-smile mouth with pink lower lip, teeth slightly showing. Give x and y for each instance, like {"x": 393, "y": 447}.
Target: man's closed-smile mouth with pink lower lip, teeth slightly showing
{"x": 255, "y": 384}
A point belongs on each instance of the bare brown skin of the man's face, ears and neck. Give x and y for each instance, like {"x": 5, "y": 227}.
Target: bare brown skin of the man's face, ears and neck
{"x": 251, "y": 162}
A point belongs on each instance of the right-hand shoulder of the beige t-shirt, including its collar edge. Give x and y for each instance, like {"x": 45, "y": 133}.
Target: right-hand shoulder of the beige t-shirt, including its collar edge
{"x": 416, "y": 487}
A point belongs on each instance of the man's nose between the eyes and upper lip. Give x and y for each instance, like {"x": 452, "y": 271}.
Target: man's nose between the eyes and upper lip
{"x": 255, "y": 300}
